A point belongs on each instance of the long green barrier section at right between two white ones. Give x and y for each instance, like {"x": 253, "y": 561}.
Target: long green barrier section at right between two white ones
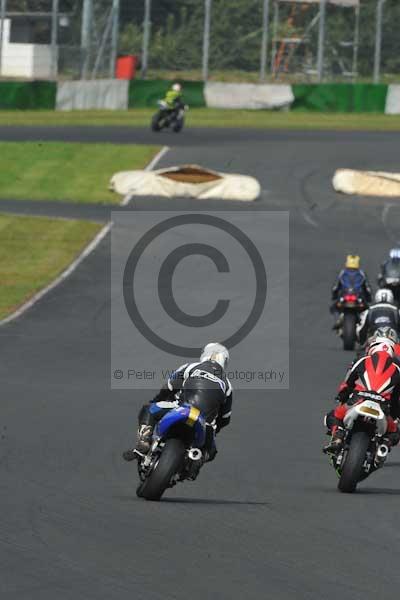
{"x": 340, "y": 97}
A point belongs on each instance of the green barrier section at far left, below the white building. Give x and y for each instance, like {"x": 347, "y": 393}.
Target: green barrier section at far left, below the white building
{"x": 28, "y": 95}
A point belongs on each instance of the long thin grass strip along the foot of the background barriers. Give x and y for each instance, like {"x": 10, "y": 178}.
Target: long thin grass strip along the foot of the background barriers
{"x": 209, "y": 117}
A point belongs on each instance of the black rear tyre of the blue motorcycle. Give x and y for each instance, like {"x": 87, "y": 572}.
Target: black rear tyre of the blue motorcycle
{"x": 170, "y": 463}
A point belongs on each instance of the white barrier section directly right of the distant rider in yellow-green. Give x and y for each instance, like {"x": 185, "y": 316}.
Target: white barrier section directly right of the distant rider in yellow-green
{"x": 247, "y": 95}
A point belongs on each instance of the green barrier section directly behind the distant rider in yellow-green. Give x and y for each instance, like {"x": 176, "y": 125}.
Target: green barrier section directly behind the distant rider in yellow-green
{"x": 145, "y": 93}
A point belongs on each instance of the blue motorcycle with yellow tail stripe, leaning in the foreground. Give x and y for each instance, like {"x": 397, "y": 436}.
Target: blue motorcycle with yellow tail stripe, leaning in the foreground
{"x": 176, "y": 453}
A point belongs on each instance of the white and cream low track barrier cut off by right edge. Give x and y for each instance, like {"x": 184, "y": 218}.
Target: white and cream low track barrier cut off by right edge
{"x": 367, "y": 183}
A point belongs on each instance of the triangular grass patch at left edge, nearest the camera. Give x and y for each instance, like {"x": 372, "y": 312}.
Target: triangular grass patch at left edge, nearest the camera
{"x": 33, "y": 251}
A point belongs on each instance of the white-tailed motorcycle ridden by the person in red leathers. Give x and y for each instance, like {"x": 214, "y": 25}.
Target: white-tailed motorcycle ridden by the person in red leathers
{"x": 364, "y": 449}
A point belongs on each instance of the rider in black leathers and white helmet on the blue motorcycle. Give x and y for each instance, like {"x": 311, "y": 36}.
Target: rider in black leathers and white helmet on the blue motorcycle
{"x": 202, "y": 384}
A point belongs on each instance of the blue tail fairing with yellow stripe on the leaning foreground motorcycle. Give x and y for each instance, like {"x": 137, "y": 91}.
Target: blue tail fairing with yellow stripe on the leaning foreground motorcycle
{"x": 186, "y": 420}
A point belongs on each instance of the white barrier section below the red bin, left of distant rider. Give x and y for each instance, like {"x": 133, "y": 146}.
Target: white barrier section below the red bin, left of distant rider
{"x": 101, "y": 94}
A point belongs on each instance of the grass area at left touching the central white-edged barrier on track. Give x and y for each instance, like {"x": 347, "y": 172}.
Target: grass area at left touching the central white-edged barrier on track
{"x": 66, "y": 171}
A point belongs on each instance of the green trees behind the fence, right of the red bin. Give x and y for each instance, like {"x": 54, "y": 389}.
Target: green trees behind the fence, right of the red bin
{"x": 177, "y": 35}
